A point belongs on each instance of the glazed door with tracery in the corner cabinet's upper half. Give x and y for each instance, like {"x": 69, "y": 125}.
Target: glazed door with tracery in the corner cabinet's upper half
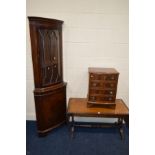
{"x": 50, "y": 55}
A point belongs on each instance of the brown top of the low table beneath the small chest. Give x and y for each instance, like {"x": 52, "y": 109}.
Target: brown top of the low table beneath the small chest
{"x": 78, "y": 107}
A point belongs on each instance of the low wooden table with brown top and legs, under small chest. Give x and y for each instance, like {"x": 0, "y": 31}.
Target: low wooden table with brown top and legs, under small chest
{"x": 77, "y": 107}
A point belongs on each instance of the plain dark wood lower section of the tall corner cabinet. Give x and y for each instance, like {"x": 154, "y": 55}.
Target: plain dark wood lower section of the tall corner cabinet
{"x": 50, "y": 109}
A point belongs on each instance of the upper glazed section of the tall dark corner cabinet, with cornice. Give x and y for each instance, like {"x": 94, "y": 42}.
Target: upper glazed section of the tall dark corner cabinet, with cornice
{"x": 46, "y": 44}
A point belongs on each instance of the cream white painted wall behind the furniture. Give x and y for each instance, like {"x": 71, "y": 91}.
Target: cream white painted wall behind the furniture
{"x": 95, "y": 33}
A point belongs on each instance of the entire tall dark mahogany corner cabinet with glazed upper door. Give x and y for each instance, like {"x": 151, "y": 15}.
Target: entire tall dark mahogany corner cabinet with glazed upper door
{"x": 50, "y": 89}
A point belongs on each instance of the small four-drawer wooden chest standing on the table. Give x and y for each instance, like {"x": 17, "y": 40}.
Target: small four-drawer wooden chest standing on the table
{"x": 102, "y": 87}
